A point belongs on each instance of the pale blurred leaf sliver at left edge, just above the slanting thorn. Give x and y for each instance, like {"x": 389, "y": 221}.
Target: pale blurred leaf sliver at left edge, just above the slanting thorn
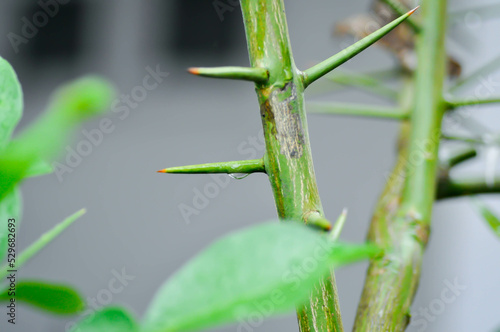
{"x": 10, "y": 207}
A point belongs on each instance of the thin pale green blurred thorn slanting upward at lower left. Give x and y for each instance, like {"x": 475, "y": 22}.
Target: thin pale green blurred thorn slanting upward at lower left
{"x": 39, "y": 244}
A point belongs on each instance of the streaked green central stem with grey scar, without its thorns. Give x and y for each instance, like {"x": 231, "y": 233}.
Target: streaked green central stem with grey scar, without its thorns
{"x": 288, "y": 160}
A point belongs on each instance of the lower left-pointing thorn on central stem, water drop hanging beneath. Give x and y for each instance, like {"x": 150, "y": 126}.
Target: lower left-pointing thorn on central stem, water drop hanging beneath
{"x": 243, "y": 166}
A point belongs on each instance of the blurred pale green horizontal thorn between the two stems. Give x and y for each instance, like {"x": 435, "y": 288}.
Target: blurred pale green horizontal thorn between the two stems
{"x": 358, "y": 110}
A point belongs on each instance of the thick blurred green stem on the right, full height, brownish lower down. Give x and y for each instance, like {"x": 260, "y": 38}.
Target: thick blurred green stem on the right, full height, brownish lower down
{"x": 402, "y": 218}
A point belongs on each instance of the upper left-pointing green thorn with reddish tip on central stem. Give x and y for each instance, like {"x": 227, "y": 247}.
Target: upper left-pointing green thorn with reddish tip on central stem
{"x": 258, "y": 75}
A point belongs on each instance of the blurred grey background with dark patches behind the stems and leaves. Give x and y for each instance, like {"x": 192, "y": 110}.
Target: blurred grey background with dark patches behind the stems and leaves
{"x": 146, "y": 224}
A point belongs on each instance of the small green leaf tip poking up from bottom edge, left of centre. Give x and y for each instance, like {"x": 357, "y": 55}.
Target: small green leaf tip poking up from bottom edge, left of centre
{"x": 111, "y": 319}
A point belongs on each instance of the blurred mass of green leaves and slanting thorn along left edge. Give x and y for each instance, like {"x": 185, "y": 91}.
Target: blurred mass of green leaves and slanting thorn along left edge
{"x": 30, "y": 154}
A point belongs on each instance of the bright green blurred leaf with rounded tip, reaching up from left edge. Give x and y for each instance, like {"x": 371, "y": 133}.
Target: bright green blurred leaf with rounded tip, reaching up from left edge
{"x": 71, "y": 104}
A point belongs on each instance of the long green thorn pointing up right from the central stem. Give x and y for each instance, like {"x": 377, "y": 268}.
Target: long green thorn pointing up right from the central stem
{"x": 323, "y": 68}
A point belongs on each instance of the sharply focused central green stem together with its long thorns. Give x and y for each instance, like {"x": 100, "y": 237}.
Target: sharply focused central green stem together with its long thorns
{"x": 287, "y": 161}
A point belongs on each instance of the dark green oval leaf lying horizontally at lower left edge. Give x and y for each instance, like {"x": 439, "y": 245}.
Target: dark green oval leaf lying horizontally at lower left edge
{"x": 58, "y": 299}
